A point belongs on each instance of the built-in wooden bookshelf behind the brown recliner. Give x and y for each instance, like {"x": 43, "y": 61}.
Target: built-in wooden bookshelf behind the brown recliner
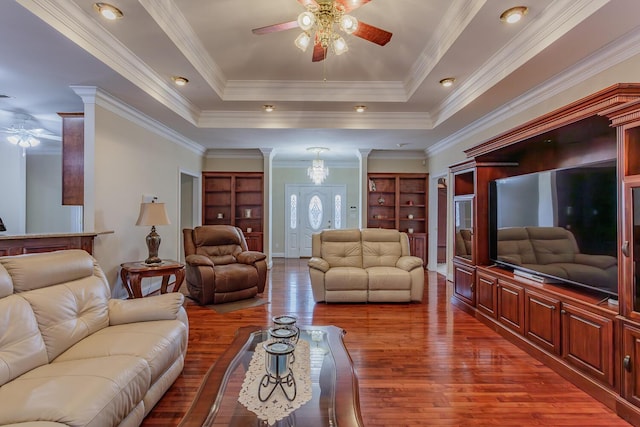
{"x": 235, "y": 198}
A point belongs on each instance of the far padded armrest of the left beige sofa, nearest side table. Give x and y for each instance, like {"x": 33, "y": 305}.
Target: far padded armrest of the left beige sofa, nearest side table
{"x": 157, "y": 307}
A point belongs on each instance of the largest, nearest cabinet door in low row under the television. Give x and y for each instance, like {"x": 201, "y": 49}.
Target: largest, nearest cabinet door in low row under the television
{"x": 587, "y": 342}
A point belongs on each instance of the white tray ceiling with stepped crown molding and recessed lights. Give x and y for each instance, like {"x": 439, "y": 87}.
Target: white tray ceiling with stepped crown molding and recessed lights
{"x": 49, "y": 46}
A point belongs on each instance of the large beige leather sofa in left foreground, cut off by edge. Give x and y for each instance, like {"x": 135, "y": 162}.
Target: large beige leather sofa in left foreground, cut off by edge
{"x": 71, "y": 356}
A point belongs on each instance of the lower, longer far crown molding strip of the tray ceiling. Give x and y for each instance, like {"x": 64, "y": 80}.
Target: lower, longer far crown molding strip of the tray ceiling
{"x": 313, "y": 120}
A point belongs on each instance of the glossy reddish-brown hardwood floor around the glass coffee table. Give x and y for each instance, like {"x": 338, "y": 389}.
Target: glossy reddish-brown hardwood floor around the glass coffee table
{"x": 426, "y": 364}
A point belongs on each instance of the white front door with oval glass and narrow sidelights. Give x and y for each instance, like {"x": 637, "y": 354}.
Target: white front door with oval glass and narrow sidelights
{"x": 309, "y": 209}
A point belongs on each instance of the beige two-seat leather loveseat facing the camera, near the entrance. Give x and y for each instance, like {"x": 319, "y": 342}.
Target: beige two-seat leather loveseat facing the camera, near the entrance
{"x": 369, "y": 265}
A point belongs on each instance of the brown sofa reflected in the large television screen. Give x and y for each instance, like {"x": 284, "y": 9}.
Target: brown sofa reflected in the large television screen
{"x": 554, "y": 251}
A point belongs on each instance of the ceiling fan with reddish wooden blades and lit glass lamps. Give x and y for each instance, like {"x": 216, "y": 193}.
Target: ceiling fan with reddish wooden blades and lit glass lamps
{"x": 318, "y": 22}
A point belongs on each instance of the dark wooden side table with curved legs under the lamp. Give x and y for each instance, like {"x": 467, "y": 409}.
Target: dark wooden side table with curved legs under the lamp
{"x": 132, "y": 274}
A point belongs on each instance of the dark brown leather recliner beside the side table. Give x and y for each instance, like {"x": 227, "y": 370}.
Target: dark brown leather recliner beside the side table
{"x": 219, "y": 267}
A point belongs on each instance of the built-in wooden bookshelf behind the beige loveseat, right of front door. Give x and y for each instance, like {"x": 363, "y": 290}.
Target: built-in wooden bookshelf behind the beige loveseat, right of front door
{"x": 399, "y": 201}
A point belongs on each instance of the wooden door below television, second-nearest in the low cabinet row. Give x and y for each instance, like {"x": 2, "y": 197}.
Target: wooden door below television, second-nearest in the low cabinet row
{"x": 542, "y": 321}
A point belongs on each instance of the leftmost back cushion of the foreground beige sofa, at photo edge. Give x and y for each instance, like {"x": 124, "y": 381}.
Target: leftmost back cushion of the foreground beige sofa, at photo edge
{"x": 21, "y": 345}
